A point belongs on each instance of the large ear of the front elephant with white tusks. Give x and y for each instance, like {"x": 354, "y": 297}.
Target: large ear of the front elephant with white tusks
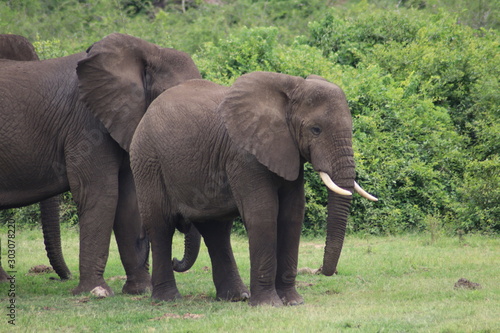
{"x": 256, "y": 112}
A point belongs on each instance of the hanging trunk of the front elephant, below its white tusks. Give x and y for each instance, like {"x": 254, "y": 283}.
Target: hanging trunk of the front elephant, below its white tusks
{"x": 338, "y": 211}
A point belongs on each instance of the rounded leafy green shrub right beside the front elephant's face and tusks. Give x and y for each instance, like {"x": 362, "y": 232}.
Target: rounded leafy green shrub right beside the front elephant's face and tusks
{"x": 402, "y": 150}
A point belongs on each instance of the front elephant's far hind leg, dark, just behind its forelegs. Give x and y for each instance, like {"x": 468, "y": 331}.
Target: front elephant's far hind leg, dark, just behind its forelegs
{"x": 227, "y": 280}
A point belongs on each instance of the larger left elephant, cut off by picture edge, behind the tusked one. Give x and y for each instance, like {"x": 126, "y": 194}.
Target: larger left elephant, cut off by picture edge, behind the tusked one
{"x": 53, "y": 143}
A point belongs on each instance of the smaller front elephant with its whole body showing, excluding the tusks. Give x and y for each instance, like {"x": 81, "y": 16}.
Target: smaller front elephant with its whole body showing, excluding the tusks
{"x": 207, "y": 153}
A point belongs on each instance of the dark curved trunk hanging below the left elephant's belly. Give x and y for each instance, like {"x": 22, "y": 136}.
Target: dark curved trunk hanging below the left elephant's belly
{"x": 49, "y": 210}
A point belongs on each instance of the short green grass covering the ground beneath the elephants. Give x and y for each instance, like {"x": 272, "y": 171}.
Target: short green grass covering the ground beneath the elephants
{"x": 385, "y": 284}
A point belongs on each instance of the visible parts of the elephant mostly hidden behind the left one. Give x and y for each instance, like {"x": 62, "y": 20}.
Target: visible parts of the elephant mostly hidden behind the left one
{"x": 17, "y": 47}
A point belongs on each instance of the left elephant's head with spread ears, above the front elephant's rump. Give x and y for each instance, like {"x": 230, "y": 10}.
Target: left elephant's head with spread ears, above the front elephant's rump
{"x": 122, "y": 75}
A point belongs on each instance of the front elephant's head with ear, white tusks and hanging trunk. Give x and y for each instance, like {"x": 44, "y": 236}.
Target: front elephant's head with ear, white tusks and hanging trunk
{"x": 284, "y": 120}
